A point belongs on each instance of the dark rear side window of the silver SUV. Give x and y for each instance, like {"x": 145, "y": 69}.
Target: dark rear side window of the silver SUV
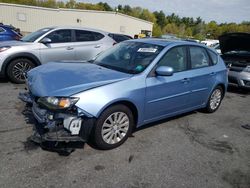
{"x": 82, "y": 36}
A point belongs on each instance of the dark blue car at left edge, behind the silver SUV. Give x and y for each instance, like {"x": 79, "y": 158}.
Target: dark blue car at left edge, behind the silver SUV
{"x": 9, "y": 33}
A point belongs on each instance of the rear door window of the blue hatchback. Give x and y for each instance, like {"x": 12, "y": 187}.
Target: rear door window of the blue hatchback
{"x": 199, "y": 57}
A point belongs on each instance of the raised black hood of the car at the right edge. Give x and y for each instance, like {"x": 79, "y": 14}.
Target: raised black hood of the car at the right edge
{"x": 234, "y": 42}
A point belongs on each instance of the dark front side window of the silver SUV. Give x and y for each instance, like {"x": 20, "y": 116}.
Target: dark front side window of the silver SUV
{"x": 60, "y": 36}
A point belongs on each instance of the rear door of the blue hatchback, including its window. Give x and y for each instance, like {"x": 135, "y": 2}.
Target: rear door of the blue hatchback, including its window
{"x": 203, "y": 75}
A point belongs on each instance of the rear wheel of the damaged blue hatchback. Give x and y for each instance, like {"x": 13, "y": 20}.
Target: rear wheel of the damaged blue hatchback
{"x": 214, "y": 100}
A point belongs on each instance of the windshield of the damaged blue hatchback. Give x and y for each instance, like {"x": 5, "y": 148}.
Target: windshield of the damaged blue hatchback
{"x": 129, "y": 57}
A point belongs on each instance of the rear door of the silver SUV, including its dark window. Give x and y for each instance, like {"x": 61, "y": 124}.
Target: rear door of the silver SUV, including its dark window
{"x": 87, "y": 44}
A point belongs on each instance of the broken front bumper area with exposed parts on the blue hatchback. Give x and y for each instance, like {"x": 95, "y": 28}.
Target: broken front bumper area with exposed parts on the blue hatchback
{"x": 63, "y": 126}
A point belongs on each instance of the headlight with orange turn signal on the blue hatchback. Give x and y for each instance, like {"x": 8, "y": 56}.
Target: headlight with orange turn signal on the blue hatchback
{"x": 57, "y": 103}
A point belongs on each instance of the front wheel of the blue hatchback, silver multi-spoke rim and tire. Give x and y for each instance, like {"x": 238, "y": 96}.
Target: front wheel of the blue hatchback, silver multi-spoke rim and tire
{"x": 113, "y": 127}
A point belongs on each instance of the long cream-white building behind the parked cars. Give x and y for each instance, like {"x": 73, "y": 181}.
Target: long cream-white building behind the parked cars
{"x": 30, "y": 18}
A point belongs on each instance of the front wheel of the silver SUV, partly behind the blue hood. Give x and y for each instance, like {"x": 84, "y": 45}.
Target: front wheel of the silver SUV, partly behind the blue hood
{"x": 15, "y": 75}
